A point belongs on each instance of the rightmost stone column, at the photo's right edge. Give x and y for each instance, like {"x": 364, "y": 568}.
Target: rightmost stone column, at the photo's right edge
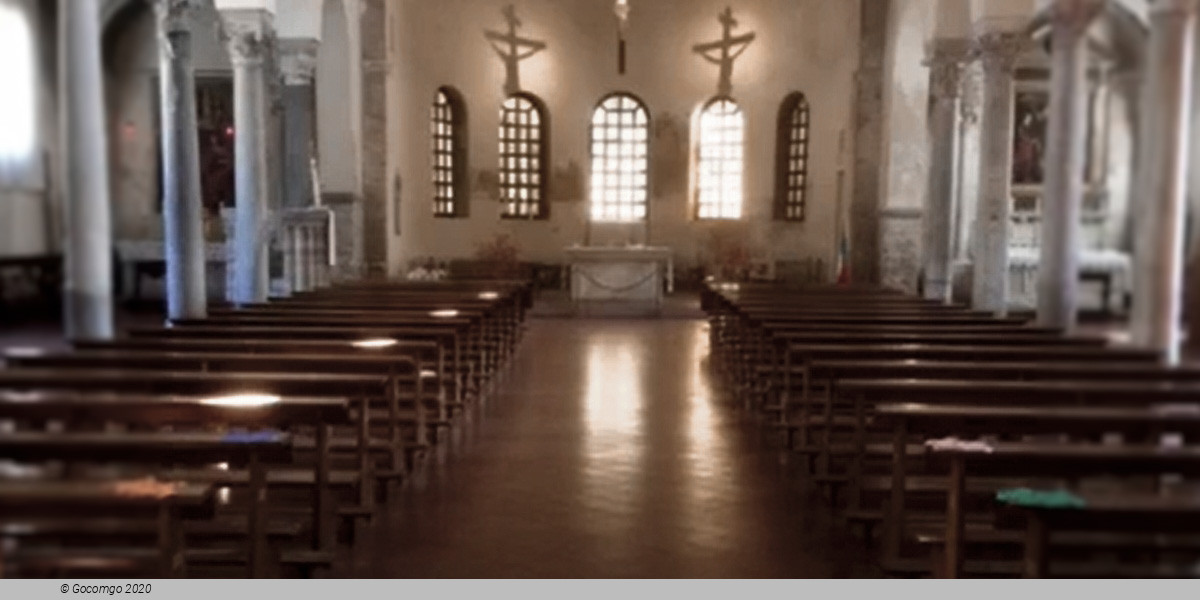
{"x": 1166, "y": 147}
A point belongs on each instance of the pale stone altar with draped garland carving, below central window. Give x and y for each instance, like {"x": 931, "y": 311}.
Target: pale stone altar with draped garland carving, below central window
{"x": 633, "y": 277}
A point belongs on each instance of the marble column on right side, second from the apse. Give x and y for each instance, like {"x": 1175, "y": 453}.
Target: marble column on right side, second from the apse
{"x": 999, "y": 52}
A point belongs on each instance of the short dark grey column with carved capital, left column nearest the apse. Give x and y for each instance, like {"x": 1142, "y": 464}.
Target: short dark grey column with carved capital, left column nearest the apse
{"x": 298, "y": 61}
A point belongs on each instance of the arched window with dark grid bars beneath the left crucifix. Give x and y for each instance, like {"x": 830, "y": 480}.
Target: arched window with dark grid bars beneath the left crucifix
{"x": 523, "y": 158}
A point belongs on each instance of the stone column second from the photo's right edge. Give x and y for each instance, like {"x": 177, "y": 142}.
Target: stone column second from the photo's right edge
{"x": 1066, "y": 158}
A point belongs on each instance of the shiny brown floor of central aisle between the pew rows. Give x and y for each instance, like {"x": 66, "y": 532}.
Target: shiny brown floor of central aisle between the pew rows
{"x": 605, "y": 454}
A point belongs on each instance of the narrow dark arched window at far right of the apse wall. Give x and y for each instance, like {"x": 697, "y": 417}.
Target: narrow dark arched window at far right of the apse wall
{"x": 793, "y": 159}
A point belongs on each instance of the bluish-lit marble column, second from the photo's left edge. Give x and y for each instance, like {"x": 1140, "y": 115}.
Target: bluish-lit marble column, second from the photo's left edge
{"x": 182, "y": 211}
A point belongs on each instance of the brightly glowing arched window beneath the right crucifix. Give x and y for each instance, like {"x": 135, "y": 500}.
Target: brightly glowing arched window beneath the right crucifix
{"x": 719, "y": 170}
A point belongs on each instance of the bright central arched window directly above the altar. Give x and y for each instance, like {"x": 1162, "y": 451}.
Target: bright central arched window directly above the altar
{"x": 621, "y": 130}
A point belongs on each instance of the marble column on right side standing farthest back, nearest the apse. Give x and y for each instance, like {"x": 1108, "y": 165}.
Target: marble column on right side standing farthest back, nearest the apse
{"x": 945, "y": 80}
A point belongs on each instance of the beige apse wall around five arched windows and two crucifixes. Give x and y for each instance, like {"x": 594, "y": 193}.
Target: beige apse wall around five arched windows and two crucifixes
{"x": 809, "y": 46}
